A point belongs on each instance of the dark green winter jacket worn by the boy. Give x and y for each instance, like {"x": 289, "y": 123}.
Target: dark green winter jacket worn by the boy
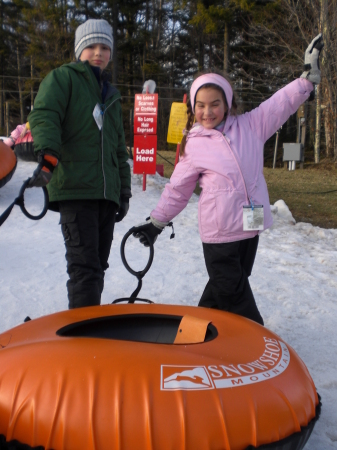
{"x": 92, "y": 162}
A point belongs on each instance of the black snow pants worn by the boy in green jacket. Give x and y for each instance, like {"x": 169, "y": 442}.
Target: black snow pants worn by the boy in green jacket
{"x": 87, "y": 227}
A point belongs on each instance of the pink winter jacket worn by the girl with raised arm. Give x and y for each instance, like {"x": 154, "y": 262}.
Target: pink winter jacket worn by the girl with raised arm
{"x": 229, "y": 168}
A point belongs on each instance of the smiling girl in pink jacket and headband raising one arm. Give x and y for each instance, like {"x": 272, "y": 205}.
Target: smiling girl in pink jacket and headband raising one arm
{"x": 224, "y": 153}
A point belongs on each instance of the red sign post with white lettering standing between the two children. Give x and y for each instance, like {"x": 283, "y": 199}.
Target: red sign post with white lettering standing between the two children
{"x": 145, "y": 135}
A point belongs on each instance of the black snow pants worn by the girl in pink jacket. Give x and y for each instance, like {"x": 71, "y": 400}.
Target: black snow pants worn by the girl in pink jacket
{"x": 229, "y": 265}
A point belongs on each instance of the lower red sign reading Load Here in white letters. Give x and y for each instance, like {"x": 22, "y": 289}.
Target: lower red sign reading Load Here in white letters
{"x": 144, "y": 154}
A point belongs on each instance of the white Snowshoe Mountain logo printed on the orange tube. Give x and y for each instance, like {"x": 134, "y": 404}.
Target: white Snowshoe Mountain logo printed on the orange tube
{"x": 272, "y": 363}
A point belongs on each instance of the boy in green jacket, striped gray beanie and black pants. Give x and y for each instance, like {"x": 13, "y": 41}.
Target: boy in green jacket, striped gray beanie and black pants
{"x": 78, "y": 135}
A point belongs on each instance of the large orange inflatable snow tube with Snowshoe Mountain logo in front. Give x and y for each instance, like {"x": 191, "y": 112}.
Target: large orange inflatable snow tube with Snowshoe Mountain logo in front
{"x": 152, "y": 377}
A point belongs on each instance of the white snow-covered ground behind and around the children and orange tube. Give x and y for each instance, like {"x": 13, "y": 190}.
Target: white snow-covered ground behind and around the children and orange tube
{"x": 294, "y": 278}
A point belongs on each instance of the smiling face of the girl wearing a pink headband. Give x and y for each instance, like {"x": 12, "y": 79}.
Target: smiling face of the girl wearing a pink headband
{"x": 209, "y": 107}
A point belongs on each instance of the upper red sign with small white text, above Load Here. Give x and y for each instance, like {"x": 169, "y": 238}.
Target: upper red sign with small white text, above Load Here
{"x": 145, "y": 114}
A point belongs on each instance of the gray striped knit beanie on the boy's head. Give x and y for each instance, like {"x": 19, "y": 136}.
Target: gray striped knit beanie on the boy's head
{"x": 93, "y": 31}
